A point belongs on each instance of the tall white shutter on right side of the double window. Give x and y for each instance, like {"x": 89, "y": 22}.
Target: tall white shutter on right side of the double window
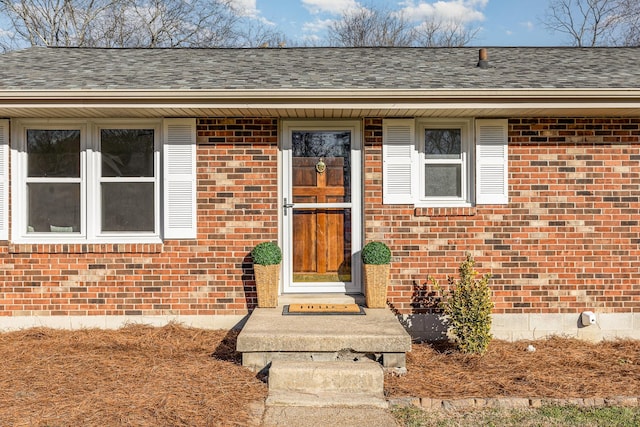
{"x": 179, "y": 178}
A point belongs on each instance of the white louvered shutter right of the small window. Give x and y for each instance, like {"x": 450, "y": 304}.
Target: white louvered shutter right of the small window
{"x": 492, "y": 162}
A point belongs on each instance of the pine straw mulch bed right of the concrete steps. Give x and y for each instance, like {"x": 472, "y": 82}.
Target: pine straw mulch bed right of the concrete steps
{"x": 558, "y": 368}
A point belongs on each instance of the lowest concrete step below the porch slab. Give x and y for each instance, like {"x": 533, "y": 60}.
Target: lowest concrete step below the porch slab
{"x": 326, "y": 384}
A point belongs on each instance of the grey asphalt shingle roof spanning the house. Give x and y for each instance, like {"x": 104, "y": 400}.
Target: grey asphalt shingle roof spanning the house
{"x": 319, "y": 68}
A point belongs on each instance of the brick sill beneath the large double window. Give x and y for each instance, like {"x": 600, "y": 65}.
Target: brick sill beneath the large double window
{"x": 85, "y": 248}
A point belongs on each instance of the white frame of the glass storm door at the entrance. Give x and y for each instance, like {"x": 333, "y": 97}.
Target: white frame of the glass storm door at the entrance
{"x": 353, "y": 126}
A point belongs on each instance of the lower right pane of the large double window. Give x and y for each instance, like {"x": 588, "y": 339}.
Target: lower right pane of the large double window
{"x": 128, "y": 206}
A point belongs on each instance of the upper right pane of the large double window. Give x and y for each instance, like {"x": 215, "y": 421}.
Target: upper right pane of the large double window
{"x": 127, "y": 152}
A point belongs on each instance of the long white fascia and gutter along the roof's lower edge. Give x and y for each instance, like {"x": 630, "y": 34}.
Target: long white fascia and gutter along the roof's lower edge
{"x": 278, "y": 100}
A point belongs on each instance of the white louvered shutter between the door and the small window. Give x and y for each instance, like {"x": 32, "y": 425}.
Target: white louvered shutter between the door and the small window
{"x": 398, "y": 162}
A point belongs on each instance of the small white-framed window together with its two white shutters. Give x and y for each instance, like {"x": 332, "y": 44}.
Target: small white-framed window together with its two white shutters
{"x": 445, "y": 162}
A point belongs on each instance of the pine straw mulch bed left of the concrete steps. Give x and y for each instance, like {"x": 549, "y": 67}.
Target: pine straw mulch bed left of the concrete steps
{"x": 138, "y": 375}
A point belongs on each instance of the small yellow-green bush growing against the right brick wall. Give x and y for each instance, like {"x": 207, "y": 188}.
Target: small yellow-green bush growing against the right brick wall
{"x": 467, "y": 306}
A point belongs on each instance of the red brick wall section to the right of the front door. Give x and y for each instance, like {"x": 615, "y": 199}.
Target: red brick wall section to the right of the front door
{"x": 568, "y": 240}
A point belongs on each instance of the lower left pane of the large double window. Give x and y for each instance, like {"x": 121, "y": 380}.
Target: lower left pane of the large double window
{"x": 53, "y": 208}
